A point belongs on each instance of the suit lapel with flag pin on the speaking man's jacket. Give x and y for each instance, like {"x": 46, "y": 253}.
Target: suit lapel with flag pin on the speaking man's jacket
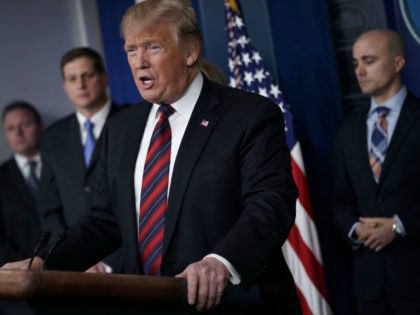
{"x": 202, "y": 122}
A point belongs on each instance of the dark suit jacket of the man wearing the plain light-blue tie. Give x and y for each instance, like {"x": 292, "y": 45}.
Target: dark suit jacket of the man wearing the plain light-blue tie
{"x": 66, "y": 183}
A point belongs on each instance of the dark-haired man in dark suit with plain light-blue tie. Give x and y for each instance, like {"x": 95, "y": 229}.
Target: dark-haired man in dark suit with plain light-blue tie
{"x": 67, "y": 178}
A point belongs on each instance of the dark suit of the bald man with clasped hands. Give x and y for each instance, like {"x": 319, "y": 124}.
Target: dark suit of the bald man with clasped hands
{"x": 355, "y": 194}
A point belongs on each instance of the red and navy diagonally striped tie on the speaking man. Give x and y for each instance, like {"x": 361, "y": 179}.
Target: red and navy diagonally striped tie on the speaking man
{"x": 154, "y": 194}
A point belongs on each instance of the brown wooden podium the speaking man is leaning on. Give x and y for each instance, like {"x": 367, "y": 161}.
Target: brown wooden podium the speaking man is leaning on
{"x": 65, "y": 292}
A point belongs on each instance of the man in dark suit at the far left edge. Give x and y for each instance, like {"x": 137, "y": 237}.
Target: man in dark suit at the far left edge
{"x": 19, "y": 223}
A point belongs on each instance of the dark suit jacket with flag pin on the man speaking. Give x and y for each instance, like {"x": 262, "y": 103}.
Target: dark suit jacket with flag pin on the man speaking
{"x": 232, "y": 193}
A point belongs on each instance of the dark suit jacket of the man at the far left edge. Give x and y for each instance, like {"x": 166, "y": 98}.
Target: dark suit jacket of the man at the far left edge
{"x": 19, "y": 223}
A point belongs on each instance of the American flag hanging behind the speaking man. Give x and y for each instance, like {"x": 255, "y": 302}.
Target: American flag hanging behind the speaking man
{"x": 301, "y": 250}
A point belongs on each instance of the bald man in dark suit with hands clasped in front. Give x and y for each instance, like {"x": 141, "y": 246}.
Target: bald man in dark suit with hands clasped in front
{"x": 376, "y": 191}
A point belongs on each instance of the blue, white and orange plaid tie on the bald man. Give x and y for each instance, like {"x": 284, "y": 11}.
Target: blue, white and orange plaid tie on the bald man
{"x": 379, "y": 142}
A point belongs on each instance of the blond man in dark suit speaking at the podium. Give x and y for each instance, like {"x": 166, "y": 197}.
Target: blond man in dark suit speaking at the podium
{"x": 231, "y": 196}
